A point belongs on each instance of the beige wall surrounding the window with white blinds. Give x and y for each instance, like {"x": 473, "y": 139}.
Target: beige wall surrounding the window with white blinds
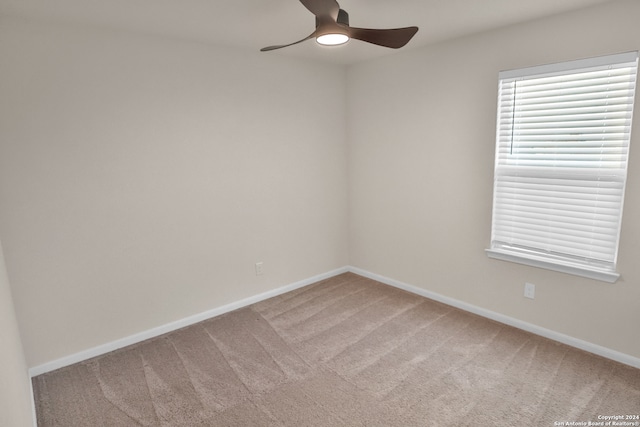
{"x": 422, "y": 136}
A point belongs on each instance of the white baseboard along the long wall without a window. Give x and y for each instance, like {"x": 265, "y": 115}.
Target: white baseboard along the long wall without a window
{"x": 178, "y": 324}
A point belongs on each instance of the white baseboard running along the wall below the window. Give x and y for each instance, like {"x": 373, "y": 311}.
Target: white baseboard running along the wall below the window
{"x": 534, "y": 329}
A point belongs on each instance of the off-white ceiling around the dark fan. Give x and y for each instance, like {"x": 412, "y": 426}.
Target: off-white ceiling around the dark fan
{"x": 253, "y": 24}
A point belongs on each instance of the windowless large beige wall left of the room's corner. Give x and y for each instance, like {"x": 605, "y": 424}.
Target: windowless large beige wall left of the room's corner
{"x": 141, "y": 179}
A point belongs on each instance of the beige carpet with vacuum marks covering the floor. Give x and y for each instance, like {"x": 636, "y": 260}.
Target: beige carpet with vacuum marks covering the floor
{"x": 347, "y": 351}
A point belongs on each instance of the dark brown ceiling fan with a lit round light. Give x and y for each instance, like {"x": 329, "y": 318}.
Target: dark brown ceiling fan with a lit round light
{"x": 332, "y": 28}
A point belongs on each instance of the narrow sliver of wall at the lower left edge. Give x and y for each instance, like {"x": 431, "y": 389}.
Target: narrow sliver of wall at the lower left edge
{"x": 15, "y": 398}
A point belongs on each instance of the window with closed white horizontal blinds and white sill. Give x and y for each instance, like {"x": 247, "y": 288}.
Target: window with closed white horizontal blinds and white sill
{"x": 562, "y": 143}
